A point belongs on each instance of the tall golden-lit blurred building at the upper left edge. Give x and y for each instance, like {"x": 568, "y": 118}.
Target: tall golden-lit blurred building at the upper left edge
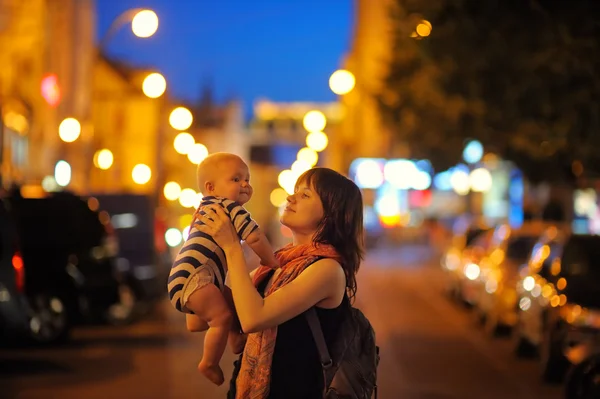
{"x": 46, "y": 53}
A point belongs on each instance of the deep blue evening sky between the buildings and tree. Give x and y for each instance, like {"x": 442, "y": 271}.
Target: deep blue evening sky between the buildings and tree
{"x": 281, "y": 50}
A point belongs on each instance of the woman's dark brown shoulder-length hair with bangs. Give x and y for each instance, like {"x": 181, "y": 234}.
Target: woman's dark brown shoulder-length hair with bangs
{"x": 342, "y": 223}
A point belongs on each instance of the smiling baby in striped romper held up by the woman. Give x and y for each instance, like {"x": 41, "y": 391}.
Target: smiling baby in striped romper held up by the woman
{"x": 197, "y": 280}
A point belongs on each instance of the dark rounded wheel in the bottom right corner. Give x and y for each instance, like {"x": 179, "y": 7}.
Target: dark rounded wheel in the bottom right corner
{"x": 583, "y": 381}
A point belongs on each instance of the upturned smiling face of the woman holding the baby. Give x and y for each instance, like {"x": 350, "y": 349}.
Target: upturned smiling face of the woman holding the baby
{"x": 304, "y": 210}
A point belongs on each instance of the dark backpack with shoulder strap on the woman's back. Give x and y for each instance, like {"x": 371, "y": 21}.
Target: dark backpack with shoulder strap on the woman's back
{"x": 350, "y": 371}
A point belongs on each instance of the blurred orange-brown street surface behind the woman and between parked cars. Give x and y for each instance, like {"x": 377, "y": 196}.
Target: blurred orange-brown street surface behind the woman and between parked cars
{"x": 430, "y": 348}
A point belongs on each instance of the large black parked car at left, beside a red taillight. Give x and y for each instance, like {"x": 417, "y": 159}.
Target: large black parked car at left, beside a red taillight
{"x": 68, "y": 257}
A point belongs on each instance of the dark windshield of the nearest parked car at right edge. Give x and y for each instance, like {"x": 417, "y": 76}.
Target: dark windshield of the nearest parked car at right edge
{"x": 581, "y": 268}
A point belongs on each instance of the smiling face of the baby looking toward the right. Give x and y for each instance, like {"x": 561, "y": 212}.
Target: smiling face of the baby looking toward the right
{"x": 233, "y": 181}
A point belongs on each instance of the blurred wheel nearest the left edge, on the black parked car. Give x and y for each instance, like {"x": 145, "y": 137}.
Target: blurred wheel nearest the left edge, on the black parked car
{"x": 48, "y": 318}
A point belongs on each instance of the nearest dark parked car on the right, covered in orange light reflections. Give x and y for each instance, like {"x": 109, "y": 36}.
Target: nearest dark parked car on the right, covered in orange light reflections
{"x": 559, "y": 302}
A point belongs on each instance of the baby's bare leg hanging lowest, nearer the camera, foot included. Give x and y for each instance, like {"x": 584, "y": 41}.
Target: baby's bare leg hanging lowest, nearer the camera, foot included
{"x": 210, "y": 305}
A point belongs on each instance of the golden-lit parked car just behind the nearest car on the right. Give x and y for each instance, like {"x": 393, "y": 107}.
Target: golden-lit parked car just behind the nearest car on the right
{"x": 496, "y": 284}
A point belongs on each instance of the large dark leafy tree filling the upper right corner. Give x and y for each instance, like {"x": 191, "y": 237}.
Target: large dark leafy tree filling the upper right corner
{"x": 521, "y": 76}
